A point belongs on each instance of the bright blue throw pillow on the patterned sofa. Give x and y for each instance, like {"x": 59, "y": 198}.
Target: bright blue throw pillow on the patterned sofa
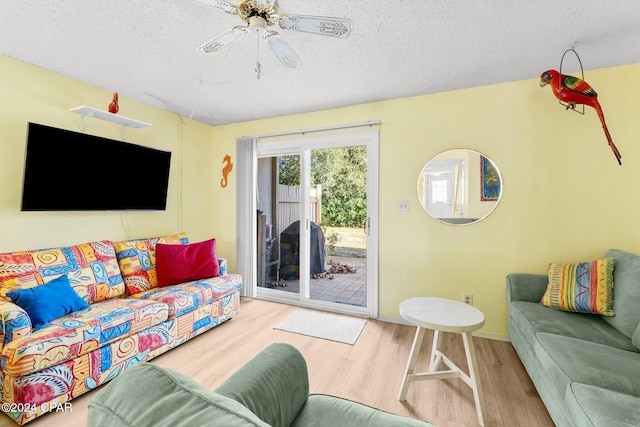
{"x": 49, "y": 301}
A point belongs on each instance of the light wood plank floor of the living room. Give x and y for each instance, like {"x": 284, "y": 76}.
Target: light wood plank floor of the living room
{"x": 369, "y": 372}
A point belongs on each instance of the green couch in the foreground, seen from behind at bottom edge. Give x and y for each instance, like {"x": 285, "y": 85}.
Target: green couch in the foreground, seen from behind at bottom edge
{"x": 272, "y": 389}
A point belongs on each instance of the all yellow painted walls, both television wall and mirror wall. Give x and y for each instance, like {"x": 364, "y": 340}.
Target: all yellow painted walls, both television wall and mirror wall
{"x": 565, "y": 197}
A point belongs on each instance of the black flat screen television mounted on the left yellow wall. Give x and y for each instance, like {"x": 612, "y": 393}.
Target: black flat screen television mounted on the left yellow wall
{"x": 71, "y": 171}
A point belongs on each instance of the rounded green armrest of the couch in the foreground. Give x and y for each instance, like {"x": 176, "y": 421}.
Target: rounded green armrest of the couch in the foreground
{"x": 274, "y": 385}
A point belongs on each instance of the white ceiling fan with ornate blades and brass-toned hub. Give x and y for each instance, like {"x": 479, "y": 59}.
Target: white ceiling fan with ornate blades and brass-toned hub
{"x": 260, "y": 16}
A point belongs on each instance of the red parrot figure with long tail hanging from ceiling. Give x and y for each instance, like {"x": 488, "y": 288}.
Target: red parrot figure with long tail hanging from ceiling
{"x": 572, "y": 91}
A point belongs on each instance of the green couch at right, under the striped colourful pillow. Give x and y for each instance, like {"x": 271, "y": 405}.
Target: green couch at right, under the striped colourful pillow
{"x": 586, "y": 367}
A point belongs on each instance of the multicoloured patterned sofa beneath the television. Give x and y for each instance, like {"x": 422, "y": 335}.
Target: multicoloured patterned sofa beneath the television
{"x": 127, "y": 318}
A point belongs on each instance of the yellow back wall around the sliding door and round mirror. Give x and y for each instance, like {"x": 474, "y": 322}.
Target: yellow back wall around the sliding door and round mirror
{"x": 565, "y": 197}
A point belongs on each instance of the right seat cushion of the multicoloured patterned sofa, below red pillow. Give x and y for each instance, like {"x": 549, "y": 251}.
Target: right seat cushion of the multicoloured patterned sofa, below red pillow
{"x": 186, "y": 297}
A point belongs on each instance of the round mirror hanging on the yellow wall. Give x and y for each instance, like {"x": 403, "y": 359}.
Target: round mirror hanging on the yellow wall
{"x": 459, "y": 186}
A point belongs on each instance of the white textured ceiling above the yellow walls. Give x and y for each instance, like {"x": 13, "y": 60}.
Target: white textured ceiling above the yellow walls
{"x": 146, "y": 49}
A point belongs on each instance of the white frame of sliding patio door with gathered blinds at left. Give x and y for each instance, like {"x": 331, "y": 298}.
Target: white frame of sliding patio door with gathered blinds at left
{"x": 252, "y": 149}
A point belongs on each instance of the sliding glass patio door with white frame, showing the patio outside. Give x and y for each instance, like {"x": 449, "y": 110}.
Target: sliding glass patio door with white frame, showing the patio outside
{"x": 316, "y": 216}
